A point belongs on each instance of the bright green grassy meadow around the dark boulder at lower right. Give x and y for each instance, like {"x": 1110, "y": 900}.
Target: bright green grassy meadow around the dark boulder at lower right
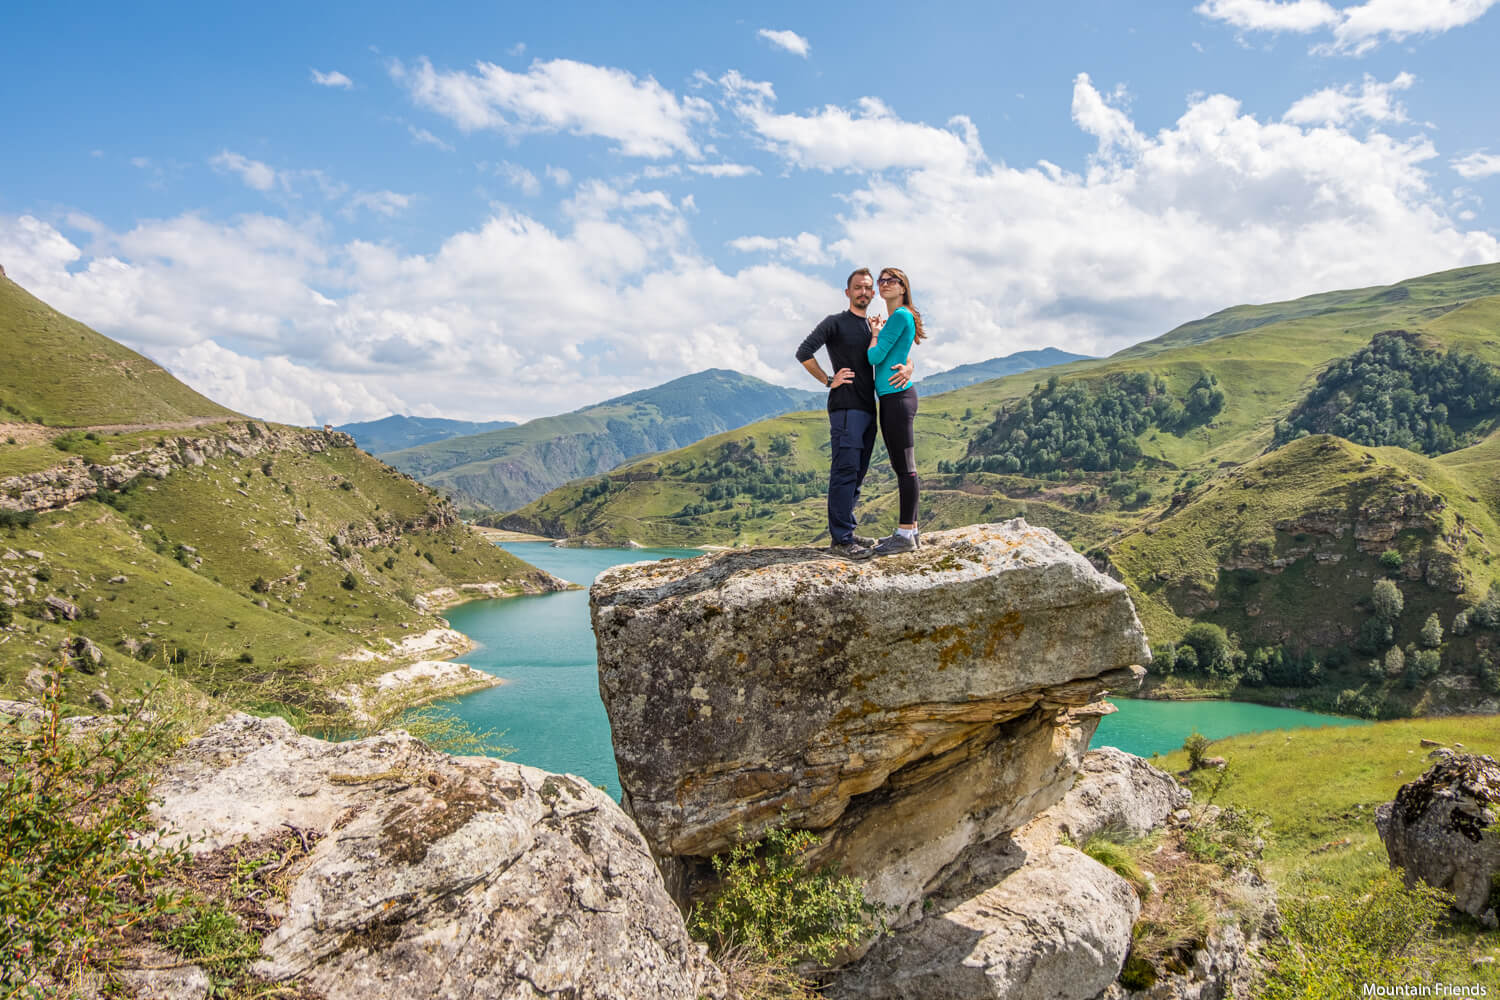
{"x": 1321, "y": 789}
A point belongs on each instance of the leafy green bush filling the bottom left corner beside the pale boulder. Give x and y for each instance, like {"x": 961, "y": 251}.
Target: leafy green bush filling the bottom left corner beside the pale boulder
{"x": 73, "y": 875}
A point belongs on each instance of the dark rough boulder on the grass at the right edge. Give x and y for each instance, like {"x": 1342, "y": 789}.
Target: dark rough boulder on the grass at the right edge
{"x": 1442, "y": 830}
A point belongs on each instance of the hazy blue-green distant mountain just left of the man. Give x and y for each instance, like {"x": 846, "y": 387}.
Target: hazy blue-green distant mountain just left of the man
{"x": 506, "y": 469}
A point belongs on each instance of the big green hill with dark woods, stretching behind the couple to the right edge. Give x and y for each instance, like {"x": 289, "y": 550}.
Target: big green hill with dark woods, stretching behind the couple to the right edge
{"x": 1159, "y": 463}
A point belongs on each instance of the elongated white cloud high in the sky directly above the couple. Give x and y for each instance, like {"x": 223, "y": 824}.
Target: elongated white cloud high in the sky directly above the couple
{"x": 869, "y": 139}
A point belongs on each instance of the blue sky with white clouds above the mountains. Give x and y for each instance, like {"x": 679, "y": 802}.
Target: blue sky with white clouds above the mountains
{"x": 335, "y": 212}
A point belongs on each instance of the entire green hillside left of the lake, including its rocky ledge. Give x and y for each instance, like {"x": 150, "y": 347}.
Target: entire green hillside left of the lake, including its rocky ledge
{"x": 260, "y": 566}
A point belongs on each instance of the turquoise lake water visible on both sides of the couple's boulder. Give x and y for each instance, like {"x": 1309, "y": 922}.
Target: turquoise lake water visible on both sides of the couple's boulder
{"x": 551, "y": 714}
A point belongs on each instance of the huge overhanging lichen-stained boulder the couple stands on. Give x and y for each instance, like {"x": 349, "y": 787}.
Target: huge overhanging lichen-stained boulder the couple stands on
{"x": 905, "y": 708}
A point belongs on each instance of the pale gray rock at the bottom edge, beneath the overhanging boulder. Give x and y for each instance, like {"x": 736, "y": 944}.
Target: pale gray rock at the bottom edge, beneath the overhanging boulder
{"x": 1055, "y": 929}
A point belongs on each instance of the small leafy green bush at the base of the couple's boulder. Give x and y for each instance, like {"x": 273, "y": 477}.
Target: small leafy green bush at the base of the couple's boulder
{"x": 772, "y": 903}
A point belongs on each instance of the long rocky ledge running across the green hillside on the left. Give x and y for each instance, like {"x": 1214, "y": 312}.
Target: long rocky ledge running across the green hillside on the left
{"x": 76, "y": 478}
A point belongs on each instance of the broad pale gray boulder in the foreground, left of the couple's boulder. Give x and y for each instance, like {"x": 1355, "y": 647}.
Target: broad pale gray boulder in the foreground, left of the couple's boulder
{"x": 436, "y": 876}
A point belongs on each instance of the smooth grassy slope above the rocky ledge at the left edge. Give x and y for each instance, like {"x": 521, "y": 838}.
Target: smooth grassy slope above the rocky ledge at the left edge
{"x": 58, "y": 371}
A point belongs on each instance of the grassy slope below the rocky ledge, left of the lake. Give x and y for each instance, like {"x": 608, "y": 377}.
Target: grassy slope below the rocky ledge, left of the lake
{"x": 295, "y": 650}
